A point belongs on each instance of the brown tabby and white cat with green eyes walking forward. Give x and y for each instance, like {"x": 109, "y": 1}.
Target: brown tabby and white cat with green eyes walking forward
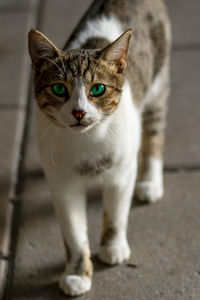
{"x": 101, "y": 116}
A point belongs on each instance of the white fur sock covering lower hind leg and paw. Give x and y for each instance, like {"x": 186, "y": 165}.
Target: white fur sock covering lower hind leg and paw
{"x": 151, "y": 187}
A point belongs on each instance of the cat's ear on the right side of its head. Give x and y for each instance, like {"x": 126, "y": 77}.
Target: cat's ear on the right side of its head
{"x": 117, "y": 51}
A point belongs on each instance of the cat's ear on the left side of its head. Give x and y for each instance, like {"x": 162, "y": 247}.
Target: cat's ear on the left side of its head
{"x": 40, "y": 48}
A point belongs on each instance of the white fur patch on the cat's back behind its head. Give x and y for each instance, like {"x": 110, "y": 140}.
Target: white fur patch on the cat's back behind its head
{"x": 106, "y": 27}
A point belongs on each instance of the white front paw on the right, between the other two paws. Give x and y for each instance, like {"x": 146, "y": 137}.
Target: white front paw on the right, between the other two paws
{"x": 114, "y": 254}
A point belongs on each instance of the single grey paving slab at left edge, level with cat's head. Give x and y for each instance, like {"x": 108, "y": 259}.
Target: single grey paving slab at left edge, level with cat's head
{"x": 13, "y": 57}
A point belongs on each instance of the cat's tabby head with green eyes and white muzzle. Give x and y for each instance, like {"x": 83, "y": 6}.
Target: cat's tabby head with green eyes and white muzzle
{"x": 78, "y": 88}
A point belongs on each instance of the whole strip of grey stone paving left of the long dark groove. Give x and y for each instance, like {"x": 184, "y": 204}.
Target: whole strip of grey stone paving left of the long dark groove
{"x": 14, "y": 74}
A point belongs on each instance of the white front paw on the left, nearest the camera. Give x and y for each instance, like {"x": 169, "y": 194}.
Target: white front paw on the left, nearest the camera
{"x": 75, "y": 285}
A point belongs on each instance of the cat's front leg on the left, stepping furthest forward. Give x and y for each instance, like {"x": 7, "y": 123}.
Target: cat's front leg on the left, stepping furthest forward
{"x": 70, "y": 204}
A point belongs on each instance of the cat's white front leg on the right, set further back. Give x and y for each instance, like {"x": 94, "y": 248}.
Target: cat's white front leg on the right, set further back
{"x": 114, "y": 247}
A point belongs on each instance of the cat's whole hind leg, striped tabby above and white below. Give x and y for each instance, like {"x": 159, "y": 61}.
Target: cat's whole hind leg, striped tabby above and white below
{"x": 149, "y": 187}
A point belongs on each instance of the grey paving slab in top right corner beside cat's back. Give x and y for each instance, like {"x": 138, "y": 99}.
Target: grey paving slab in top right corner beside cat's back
{"x": 185, "y": 21}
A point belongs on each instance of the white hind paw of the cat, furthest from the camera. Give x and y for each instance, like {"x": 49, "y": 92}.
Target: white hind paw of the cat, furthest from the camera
{"x": 149, "y": 191}
